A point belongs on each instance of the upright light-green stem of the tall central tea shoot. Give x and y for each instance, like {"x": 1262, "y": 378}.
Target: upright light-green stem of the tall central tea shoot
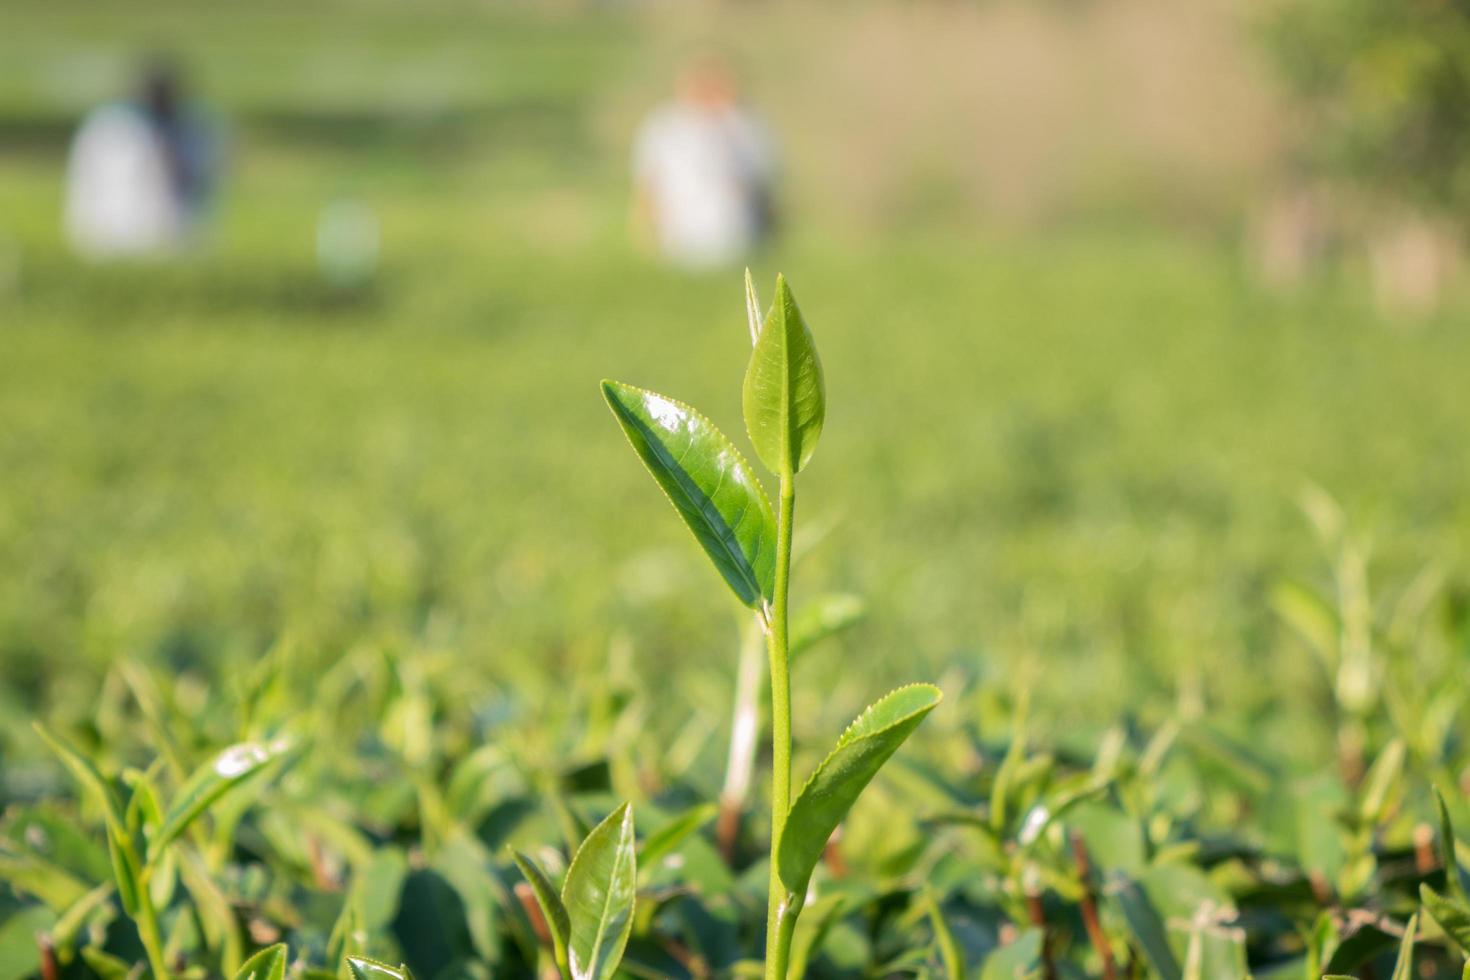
{"x": 781, "y": 920}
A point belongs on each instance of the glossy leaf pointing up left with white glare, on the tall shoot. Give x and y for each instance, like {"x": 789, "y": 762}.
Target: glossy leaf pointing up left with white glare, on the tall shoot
{"x": 708, "y": 481}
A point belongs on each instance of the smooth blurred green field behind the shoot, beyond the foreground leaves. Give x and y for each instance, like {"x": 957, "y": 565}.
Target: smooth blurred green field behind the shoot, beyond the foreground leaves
{"x": 1068, "y": 459}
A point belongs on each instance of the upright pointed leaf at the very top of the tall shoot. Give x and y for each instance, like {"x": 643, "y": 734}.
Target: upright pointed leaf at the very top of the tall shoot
{"x": 784, "y": 396}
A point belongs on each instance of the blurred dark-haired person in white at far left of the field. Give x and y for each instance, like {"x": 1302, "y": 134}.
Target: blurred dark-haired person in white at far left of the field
{"x": 142, "y": 173}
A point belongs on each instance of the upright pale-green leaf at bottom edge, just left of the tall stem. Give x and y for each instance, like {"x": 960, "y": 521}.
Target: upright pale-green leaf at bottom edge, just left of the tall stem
{"x": 599, "y": 897}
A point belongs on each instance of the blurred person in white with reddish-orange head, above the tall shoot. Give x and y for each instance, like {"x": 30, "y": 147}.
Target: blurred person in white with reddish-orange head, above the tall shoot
{"x": 705, "y": 171}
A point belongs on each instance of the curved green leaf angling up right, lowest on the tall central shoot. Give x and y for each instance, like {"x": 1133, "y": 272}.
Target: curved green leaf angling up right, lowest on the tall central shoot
{"x": 837, "y": 782}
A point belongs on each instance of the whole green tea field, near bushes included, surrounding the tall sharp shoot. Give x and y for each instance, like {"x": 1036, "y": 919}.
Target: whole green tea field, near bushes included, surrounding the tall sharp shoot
{"x": 1187, "y": 558}
